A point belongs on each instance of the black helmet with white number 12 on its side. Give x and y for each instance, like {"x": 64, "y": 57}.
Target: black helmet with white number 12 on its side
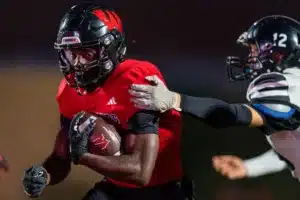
{"x": 273, "y": 45}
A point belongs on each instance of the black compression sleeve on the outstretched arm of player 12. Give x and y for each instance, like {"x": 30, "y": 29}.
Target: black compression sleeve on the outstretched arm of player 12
{"x": 215, "y": 112}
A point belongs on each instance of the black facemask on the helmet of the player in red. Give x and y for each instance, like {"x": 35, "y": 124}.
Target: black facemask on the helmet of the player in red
{"x": 86, "y": 66}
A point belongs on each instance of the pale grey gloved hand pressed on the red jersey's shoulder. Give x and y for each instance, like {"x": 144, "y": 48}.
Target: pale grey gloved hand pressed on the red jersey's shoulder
{"x": 153, "y": 97}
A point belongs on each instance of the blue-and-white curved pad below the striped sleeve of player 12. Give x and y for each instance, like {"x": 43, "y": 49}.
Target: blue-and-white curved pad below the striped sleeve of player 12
{"x": 277, "y": 111}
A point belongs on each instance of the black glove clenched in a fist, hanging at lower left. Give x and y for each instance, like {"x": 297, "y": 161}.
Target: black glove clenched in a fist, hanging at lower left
{"x": 35, "y": 180}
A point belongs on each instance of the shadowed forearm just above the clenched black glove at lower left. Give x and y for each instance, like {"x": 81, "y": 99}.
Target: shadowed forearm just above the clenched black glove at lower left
{"x": 57, "y": 168}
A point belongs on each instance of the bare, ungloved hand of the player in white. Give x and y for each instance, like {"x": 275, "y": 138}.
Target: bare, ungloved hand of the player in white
{"x": 230, "y": 166}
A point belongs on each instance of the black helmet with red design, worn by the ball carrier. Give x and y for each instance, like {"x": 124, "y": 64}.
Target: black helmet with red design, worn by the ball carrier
{"x": 90, "y": 44}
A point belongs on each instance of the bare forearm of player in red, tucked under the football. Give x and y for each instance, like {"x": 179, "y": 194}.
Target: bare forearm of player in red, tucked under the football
{"x": 123, "y": 168}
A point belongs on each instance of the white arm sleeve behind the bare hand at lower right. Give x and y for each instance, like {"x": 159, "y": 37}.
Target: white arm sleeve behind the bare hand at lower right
{"x": 266, "y": 163}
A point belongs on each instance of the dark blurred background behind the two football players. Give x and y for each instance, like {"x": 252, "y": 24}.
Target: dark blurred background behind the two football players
{"x": 188, "y": 40}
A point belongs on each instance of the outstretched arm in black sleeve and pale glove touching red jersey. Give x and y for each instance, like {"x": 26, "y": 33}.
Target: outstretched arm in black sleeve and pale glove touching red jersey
{"x": 214, "y": 112}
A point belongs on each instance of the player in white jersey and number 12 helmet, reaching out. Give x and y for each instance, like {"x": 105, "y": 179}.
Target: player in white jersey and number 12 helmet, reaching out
{"x": 273, "y": 95}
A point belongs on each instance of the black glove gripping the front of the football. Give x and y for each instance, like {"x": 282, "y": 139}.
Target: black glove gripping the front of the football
{"x": 79, "y": 138}
